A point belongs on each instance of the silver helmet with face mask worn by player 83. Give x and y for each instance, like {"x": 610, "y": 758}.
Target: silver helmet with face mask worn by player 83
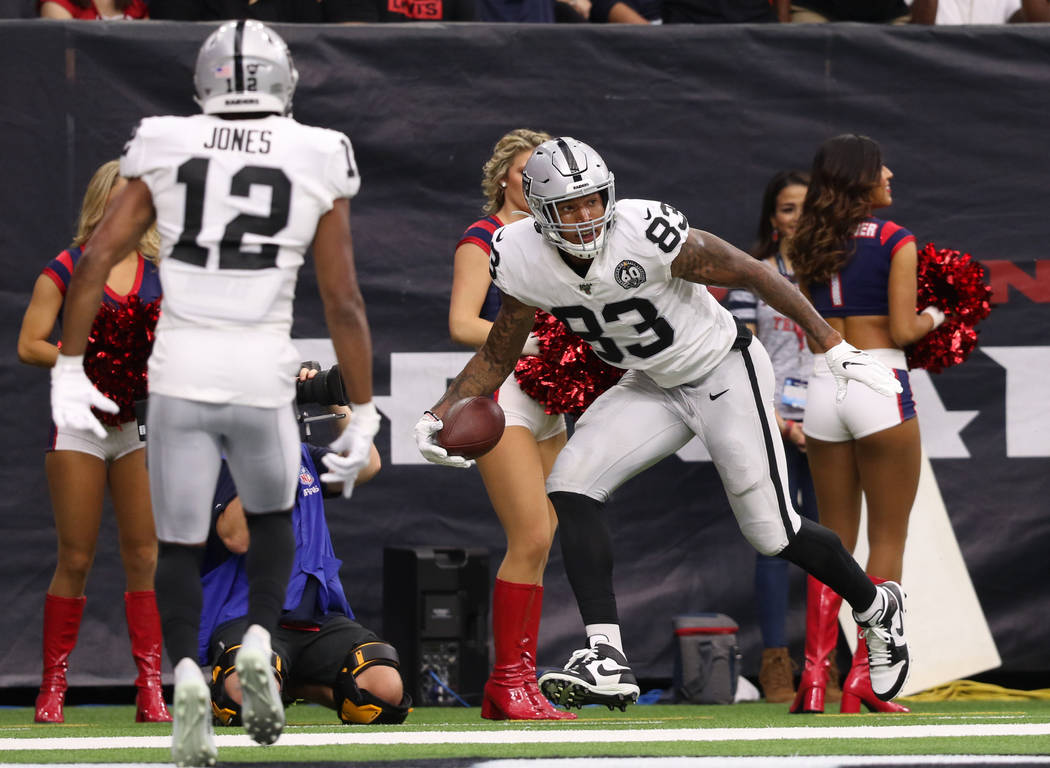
{"x": 563, "y": 170}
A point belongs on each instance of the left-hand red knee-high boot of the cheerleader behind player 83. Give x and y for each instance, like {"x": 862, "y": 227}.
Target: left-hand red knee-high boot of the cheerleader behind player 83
{"x": 508, "y": 692}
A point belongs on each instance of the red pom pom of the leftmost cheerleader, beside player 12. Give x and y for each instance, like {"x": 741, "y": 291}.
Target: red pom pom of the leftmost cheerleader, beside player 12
{"x": 118, "y": 350}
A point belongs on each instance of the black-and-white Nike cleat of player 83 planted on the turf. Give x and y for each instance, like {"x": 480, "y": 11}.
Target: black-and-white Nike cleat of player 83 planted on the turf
{"x": 593, "y": 676}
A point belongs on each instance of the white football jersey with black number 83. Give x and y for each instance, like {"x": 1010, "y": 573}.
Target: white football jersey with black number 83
{"x": 628, "y": 307}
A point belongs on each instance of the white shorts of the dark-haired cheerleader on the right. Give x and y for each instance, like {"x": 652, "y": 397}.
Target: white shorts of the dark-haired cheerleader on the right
{"x": 865, "y": 411}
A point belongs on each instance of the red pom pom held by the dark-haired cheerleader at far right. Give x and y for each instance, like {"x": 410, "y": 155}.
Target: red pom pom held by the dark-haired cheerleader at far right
{"x": 956, "y": 284}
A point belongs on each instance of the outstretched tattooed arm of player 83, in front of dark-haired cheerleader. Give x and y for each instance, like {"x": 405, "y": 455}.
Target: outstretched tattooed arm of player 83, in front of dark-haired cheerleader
{"x": 711, "y": 261}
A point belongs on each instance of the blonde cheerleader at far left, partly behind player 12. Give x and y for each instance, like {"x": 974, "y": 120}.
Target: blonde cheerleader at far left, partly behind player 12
{"x": 80, "y": 466}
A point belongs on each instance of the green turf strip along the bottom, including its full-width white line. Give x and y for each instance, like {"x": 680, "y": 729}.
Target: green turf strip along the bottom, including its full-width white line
{"x": 104, "y": 734}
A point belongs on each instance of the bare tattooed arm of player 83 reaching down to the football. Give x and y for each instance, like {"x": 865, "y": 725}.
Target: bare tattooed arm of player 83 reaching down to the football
{"x": 494, "y": 362}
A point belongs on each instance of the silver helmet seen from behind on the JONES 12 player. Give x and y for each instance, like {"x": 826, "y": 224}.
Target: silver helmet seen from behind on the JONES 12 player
{"x": 244, "y": 67}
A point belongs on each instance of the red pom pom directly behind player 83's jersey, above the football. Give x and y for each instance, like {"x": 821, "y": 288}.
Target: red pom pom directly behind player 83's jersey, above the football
{"x": 566, "y": 377}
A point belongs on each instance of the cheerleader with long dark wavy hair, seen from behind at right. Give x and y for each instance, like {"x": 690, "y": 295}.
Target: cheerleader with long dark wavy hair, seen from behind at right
{"x": 860, "y": 273}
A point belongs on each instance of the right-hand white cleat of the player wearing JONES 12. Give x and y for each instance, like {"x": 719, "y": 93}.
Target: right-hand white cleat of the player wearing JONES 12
{"x": 262, "y": 711}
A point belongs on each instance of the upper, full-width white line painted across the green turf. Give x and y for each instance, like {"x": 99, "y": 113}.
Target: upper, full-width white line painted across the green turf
{"x": 557, "y": 737}
